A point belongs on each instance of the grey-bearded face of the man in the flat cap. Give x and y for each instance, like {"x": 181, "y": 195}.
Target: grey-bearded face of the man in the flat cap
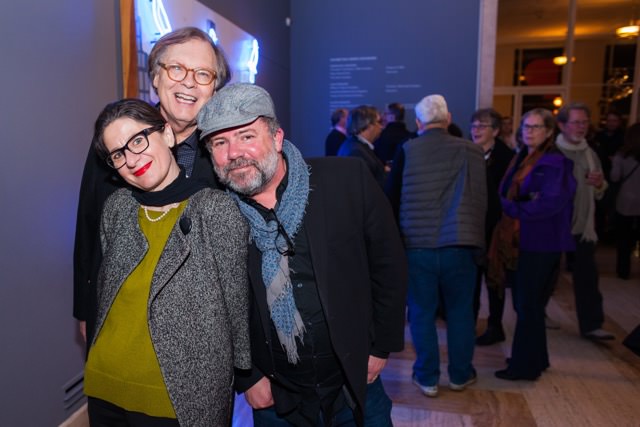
{"x": 247, "y": 158}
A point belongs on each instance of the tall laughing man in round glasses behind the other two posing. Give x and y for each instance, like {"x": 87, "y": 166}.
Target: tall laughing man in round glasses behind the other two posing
{"x": 185, "y": 70}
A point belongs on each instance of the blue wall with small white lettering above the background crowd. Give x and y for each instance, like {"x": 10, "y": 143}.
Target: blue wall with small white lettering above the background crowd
{"x": 435, "y": 40}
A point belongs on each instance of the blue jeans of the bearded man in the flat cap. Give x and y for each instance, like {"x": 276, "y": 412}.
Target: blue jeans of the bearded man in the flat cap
{"x": 377, "y": 412}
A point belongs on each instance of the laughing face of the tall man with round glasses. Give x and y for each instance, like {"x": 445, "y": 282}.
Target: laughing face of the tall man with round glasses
{"x": 181, "y": 101}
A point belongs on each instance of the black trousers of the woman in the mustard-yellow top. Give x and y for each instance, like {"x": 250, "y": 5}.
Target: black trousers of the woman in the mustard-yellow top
{"x": 105, "y": 414}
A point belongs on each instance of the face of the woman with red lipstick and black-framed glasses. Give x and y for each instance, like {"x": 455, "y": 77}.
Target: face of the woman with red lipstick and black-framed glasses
{"x": 151, "y": 170}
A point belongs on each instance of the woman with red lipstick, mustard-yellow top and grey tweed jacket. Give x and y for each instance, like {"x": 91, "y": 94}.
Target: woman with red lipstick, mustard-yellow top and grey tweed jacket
{"x": 172, "y": 320}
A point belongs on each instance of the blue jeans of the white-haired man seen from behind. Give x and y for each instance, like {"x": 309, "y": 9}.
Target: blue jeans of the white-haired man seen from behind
{"x": 450, "y": 272}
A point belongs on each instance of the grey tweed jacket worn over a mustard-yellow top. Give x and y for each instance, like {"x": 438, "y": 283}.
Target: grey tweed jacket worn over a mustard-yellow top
{"x": 198, "y": 309}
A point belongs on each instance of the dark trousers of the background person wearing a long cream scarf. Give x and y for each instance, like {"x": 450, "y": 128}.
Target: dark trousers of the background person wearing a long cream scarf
{"x": 585, "y": 287}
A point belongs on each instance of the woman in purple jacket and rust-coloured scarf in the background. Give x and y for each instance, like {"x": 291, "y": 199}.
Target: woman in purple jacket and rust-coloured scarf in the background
{"x": 536, "y": 193}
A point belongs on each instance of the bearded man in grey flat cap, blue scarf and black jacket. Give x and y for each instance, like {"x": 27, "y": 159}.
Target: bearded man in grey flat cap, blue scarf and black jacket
{"x": 327, "y": 270}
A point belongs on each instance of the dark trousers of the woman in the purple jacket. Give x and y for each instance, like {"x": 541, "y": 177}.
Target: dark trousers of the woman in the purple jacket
{"x": 535, "y": 276}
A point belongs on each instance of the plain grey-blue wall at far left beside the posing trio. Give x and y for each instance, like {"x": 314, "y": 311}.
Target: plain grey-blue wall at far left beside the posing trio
{"x": 59, "y": 69}
